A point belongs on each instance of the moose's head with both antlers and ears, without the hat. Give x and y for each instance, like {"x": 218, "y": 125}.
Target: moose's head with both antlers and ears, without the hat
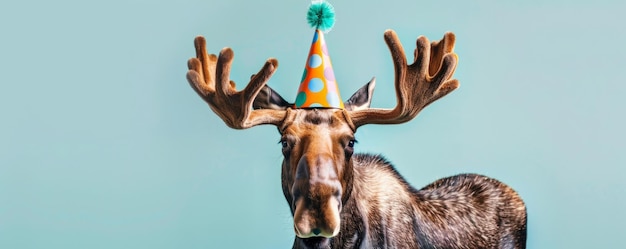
{"x": 317, "y": 143}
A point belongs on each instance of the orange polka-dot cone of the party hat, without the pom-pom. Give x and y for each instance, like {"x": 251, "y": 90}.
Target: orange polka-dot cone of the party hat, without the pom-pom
{"x": 318, "y": 87}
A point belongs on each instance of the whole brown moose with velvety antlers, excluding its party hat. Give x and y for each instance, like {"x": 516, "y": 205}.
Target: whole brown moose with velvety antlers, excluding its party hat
{"x": 340, "y": 199}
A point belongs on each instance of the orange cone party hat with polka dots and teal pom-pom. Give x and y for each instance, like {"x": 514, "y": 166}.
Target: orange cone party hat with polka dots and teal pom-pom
{"x": 318, "y": 88}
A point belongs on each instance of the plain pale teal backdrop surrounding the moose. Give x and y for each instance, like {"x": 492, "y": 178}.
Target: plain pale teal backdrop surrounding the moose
{"x": 103, "y": 144}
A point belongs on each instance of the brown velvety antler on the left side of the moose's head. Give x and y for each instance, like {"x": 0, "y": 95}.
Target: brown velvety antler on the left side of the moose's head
{"x": 209, "y": 75}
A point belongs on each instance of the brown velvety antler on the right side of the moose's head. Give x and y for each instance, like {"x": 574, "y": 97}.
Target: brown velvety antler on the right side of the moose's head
{"x": 418, "y": 84}
